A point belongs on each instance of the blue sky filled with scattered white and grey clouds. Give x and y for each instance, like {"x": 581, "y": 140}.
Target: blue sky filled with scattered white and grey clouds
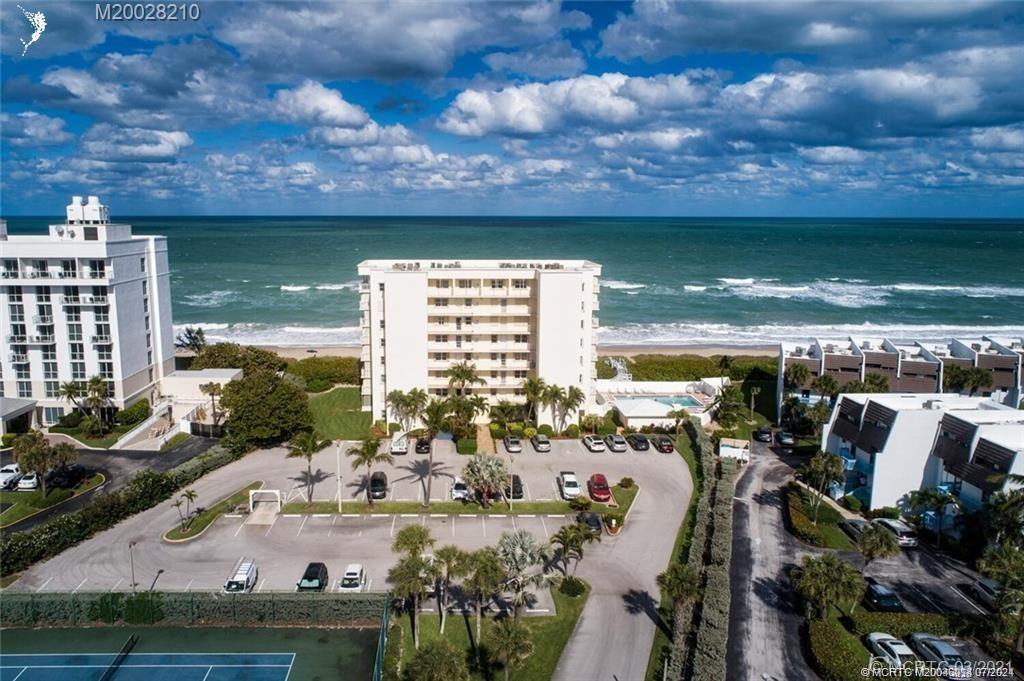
{"x": 796, "y": 109}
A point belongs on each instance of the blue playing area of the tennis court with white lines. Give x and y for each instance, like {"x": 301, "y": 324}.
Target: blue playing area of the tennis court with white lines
{"x": 148, "y": 667}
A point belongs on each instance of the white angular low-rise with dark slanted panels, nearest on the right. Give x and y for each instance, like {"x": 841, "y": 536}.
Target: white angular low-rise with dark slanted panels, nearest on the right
{"x": 891, "y": 445}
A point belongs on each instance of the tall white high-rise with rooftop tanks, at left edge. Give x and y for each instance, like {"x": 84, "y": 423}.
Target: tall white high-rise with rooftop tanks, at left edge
{"x": 88, "y": 300}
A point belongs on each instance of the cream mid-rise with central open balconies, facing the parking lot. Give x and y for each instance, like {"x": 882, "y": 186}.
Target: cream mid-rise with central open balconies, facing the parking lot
{"x": 510, "y": 319}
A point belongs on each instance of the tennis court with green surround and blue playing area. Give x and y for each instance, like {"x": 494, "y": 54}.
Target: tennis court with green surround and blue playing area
{"x": 186, "y": 654}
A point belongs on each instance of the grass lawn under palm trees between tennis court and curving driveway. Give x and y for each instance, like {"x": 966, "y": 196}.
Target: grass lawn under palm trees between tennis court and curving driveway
{"x": 550, "y": 635}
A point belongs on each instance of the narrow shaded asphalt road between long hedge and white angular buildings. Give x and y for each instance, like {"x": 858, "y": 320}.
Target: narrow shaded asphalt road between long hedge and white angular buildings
{"x": 764, "y": 624}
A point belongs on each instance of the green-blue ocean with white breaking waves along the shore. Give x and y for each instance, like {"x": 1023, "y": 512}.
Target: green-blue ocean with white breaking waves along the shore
{"x": 292, "y": 281}
